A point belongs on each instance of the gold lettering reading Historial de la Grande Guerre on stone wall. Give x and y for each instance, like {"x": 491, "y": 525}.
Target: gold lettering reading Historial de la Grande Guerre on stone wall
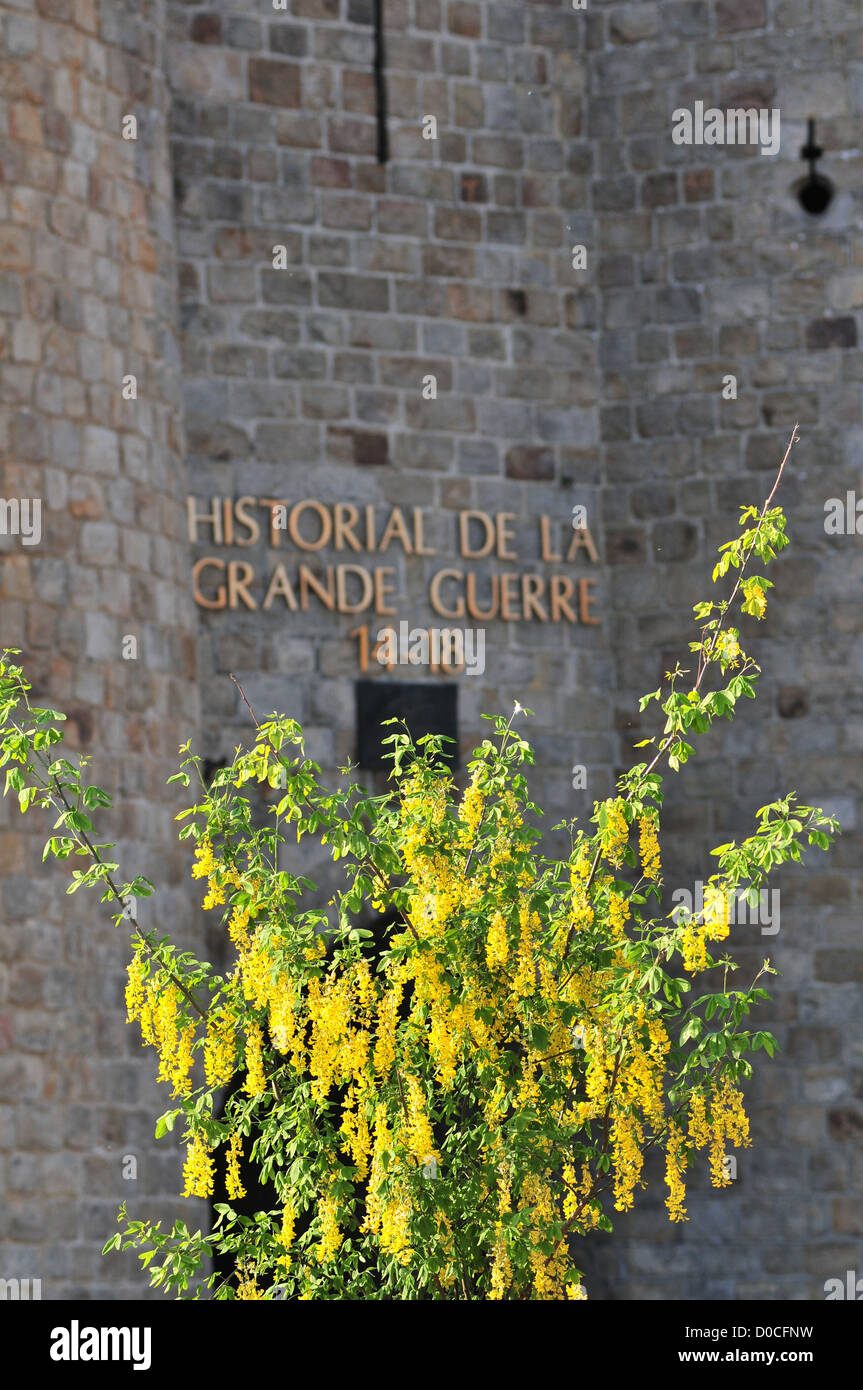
{"x": 306, "y": 526}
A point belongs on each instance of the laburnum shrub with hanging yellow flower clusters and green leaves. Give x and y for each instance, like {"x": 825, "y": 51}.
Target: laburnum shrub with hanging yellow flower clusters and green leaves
{"x": 445, "y": 1106}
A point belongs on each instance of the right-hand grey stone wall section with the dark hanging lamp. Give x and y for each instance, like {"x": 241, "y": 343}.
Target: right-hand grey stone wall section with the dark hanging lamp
{"x": 708, "y": 269}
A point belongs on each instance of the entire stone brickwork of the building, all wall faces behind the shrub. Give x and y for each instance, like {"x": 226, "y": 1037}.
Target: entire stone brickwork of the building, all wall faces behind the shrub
{"x": 557, "y": 386}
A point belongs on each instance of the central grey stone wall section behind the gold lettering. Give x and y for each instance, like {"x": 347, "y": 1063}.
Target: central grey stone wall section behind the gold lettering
{"x": 454, "y": 259}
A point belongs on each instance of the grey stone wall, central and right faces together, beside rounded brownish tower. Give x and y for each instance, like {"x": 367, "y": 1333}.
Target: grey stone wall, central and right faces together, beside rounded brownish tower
{"x": 557, "y": 386}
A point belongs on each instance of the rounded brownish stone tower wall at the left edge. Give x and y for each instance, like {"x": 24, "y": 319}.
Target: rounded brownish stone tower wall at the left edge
{"x": 88, "y": 298}
